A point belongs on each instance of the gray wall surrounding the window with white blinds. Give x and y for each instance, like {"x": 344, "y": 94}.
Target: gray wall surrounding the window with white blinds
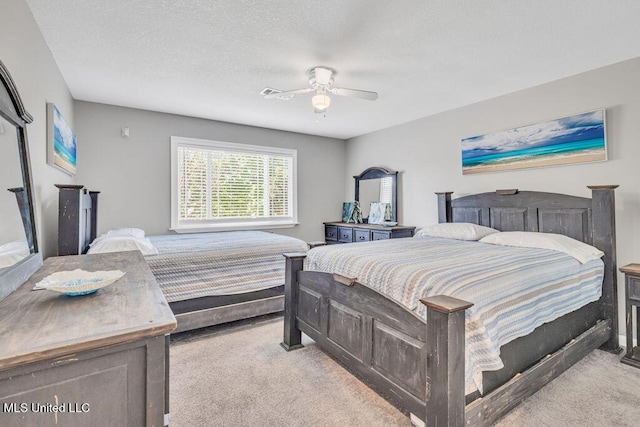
{"x": 133, "y": 174}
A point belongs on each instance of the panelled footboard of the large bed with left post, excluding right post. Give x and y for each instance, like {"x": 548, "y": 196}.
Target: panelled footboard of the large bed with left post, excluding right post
{"x": 377, "y": 339}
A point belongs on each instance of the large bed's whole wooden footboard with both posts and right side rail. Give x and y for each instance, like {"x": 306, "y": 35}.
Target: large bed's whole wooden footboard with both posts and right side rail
{"x": 418, "y": 365}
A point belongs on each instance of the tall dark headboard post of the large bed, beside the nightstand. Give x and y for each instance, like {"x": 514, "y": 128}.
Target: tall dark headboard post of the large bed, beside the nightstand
{"x": 604, "y": 238}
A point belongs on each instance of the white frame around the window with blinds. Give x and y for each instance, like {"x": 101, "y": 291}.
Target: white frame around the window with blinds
{"x": 196, "y": 226}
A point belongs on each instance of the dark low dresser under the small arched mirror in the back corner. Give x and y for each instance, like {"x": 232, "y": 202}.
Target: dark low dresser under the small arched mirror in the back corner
{"x": 343, "y": 232}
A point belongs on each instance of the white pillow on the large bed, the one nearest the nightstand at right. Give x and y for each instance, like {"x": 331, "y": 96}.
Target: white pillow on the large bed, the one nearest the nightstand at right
{"x": 558, "y": 242}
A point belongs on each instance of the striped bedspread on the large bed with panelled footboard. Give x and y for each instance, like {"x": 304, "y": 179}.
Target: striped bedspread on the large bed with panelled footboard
{"x": 514, "y": 290}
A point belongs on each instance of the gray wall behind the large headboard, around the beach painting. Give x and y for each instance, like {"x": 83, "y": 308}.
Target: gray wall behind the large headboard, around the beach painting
{"x": 427, "y": 151}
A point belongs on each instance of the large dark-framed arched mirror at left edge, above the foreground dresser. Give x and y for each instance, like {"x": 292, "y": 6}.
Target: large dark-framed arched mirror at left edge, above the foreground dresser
{"x": 19, "y": 255}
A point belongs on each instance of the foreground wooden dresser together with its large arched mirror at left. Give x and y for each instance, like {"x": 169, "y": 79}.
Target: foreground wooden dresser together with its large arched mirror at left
{"x": 97, "y": 359}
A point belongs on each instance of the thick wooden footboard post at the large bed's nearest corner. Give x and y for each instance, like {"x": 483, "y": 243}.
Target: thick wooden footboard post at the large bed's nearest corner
{"x": 445, "y": 361}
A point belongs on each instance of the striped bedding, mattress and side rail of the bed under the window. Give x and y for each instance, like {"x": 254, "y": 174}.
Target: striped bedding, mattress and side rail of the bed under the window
{"x": 213, "y": 278}
